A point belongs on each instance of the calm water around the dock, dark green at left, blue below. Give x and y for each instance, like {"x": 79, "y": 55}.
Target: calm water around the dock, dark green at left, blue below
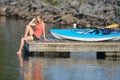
{"x": 80, "y": 66}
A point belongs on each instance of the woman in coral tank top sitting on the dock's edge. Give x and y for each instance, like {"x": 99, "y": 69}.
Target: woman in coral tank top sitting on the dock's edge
{"x": 33, "y": 35}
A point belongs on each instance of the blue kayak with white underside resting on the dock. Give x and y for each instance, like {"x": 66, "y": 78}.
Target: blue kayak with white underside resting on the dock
{"x": 86, "y": 34}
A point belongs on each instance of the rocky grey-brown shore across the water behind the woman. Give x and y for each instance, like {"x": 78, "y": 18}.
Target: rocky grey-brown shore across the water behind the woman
{"x": 86, "y": 13}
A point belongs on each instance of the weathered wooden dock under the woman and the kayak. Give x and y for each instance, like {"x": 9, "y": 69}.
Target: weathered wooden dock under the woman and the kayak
{"x": 55, "y": 45}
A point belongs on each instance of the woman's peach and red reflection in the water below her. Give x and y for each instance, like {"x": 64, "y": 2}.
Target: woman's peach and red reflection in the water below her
{"x": 30, "y": 70}
